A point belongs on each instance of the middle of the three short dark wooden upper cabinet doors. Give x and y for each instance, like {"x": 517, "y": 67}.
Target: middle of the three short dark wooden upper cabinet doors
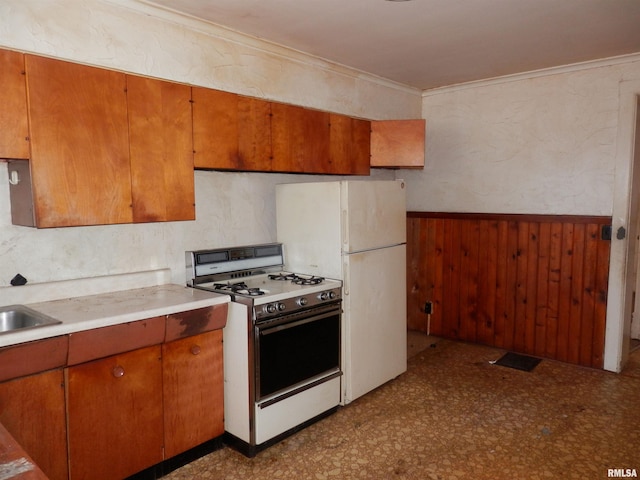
{"x": 299, "y": 139}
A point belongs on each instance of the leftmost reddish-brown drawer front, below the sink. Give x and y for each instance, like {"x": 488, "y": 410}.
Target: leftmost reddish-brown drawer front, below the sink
{"x": 33, "y": 357}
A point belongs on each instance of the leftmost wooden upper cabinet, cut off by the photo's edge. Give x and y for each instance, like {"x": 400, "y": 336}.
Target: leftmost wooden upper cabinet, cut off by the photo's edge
{"x": 14, "y": 127}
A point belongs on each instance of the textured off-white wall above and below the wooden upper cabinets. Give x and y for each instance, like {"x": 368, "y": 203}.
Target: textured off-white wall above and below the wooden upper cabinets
{"x": 231, "y": 208}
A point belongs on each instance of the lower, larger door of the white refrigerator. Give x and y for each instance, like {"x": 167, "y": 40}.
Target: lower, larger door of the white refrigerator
{"x": 375, "y": 324}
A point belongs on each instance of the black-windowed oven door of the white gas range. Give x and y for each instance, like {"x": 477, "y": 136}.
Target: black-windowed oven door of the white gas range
{"x": 296, "y": 352}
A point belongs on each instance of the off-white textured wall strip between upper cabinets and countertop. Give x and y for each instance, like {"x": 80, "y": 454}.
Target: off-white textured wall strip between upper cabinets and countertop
{"x": 232, "y": 208}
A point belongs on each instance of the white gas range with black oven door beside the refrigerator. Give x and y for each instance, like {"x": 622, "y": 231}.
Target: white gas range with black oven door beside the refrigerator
{"x": 281, "y": 344}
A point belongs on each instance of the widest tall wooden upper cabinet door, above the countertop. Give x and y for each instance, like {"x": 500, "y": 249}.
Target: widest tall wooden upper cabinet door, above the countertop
{"x": 79, "y": 144}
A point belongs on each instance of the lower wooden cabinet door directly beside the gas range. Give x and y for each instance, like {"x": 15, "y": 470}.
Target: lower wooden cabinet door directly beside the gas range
{"x": 193, "y": 391}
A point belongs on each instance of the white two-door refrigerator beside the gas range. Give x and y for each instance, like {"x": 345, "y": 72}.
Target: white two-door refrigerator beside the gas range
{"x": 354, "y": 231}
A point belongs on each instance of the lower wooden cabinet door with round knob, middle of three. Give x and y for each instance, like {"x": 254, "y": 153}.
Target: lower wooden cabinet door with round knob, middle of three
{"x": 115, "y": 415}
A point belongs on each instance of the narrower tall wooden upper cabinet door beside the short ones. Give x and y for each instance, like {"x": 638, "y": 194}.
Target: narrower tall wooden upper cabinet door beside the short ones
{"x": 161, "y": 150}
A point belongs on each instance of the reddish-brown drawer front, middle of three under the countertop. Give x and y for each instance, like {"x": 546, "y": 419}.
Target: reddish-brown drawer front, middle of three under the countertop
{"x": 102, "y": 342}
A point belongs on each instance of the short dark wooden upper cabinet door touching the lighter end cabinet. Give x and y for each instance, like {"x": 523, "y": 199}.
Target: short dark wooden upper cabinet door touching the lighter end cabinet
{"x": 349, "y": 145}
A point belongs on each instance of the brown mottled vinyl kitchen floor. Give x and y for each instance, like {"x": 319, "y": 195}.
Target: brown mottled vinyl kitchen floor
{"x": 455, "y": 415}
